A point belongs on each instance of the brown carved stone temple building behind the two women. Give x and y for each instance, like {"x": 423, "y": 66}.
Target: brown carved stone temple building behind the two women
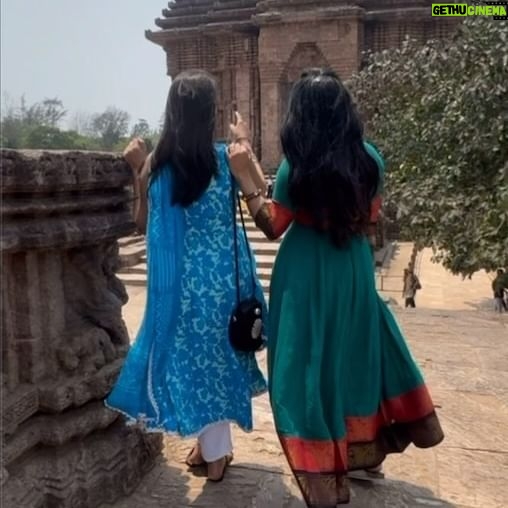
{"x": 257, "y": 49}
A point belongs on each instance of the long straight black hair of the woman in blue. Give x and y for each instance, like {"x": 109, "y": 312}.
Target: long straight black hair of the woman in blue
{"x": 186, "y": 141}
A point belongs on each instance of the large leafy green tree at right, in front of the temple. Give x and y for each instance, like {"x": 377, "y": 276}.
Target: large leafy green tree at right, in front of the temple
{"x": 440, "y": 115}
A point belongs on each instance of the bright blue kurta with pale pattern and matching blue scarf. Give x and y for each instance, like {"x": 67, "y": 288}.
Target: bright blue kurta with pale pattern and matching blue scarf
{"x": 181, "y": 374}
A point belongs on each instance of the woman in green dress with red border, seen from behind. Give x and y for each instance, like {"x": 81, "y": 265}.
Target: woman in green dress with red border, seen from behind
{"x": 344, "y": 388}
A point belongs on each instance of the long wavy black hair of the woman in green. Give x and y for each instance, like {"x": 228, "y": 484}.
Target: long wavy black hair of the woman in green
{"x": 332, "y": 178}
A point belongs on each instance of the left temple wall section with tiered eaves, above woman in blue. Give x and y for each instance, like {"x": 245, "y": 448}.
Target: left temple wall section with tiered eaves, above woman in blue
{"x": 217, "y": 36}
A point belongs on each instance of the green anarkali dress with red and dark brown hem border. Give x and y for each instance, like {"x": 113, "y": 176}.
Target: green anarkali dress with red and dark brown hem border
{"x": 344, "y": 388}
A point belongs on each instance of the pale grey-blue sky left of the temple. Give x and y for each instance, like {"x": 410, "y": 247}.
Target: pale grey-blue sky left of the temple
{"x": 90, "y": 54}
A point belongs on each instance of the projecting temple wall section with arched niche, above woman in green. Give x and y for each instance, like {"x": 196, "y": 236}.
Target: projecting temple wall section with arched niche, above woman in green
{"x": 295, "y": 37}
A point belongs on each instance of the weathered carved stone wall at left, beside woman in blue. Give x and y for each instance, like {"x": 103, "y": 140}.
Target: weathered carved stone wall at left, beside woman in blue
{"x": 63, "y": 337}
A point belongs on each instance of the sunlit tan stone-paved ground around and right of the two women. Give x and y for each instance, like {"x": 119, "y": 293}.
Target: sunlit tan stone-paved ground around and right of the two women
{"x": 463, "y": 355}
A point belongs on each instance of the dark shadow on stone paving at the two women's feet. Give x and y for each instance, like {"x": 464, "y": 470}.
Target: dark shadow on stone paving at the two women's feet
{"x": 249, "y": 485}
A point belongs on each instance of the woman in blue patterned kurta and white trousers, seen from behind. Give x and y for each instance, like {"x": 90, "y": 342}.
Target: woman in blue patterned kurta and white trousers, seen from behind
{"x": 181, "y": 374}
